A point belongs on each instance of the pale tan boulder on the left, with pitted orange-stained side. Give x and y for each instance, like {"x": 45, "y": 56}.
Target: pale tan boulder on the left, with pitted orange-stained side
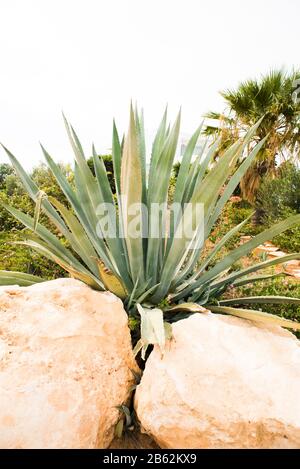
{"x": 65, "y": 359}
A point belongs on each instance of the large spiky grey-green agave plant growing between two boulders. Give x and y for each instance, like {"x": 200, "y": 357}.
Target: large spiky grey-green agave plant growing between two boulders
{"x": 157, "y": 276}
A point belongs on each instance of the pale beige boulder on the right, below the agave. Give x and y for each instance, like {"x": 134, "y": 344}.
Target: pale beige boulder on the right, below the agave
{"x": 223, "y": 382}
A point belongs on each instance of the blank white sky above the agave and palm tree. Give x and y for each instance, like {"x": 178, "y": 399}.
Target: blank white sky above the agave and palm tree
{"x": 90, "y": 57}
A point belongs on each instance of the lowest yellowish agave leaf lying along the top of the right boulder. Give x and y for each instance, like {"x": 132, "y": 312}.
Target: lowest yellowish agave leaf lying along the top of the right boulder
{"x": 258, "y": 316}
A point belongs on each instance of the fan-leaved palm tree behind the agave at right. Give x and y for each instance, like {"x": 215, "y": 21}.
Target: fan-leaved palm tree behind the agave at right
{"x": 273, "y": 97}
